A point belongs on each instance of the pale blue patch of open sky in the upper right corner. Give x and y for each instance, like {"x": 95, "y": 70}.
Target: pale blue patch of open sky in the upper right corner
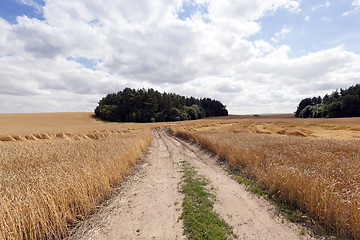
{"x": 316, "y": 27}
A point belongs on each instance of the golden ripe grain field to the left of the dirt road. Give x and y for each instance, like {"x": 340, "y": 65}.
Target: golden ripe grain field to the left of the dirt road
{"x": 49, "y": 180}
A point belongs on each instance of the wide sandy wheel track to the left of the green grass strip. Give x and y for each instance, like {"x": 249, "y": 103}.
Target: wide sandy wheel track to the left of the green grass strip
{"x": 149, "y": 204}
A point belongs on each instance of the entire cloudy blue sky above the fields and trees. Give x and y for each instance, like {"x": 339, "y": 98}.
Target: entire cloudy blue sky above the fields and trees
{"x": 254, "y": 56}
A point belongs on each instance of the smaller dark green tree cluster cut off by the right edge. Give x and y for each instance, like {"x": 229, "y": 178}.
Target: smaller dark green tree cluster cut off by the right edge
{"x": 343, "y": 103}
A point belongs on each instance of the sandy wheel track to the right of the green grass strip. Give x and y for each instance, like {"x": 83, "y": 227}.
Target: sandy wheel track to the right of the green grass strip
{"x": 250, "y": 216}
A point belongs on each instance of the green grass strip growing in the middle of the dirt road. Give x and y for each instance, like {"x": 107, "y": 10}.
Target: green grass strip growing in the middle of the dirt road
{"x": 200, "y": 220}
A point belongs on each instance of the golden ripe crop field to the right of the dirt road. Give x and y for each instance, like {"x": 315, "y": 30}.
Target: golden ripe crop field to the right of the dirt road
{"x": 313, "y": 164}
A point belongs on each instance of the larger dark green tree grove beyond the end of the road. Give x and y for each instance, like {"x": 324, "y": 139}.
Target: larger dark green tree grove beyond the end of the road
{"x": 143, "y": 105}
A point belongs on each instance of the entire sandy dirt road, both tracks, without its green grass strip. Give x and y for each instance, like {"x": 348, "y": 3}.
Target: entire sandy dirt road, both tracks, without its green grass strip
{"x": 149, "y": 204}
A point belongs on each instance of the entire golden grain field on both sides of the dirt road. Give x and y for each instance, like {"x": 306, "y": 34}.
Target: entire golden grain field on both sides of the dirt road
{"x": 56, "y": 168}
